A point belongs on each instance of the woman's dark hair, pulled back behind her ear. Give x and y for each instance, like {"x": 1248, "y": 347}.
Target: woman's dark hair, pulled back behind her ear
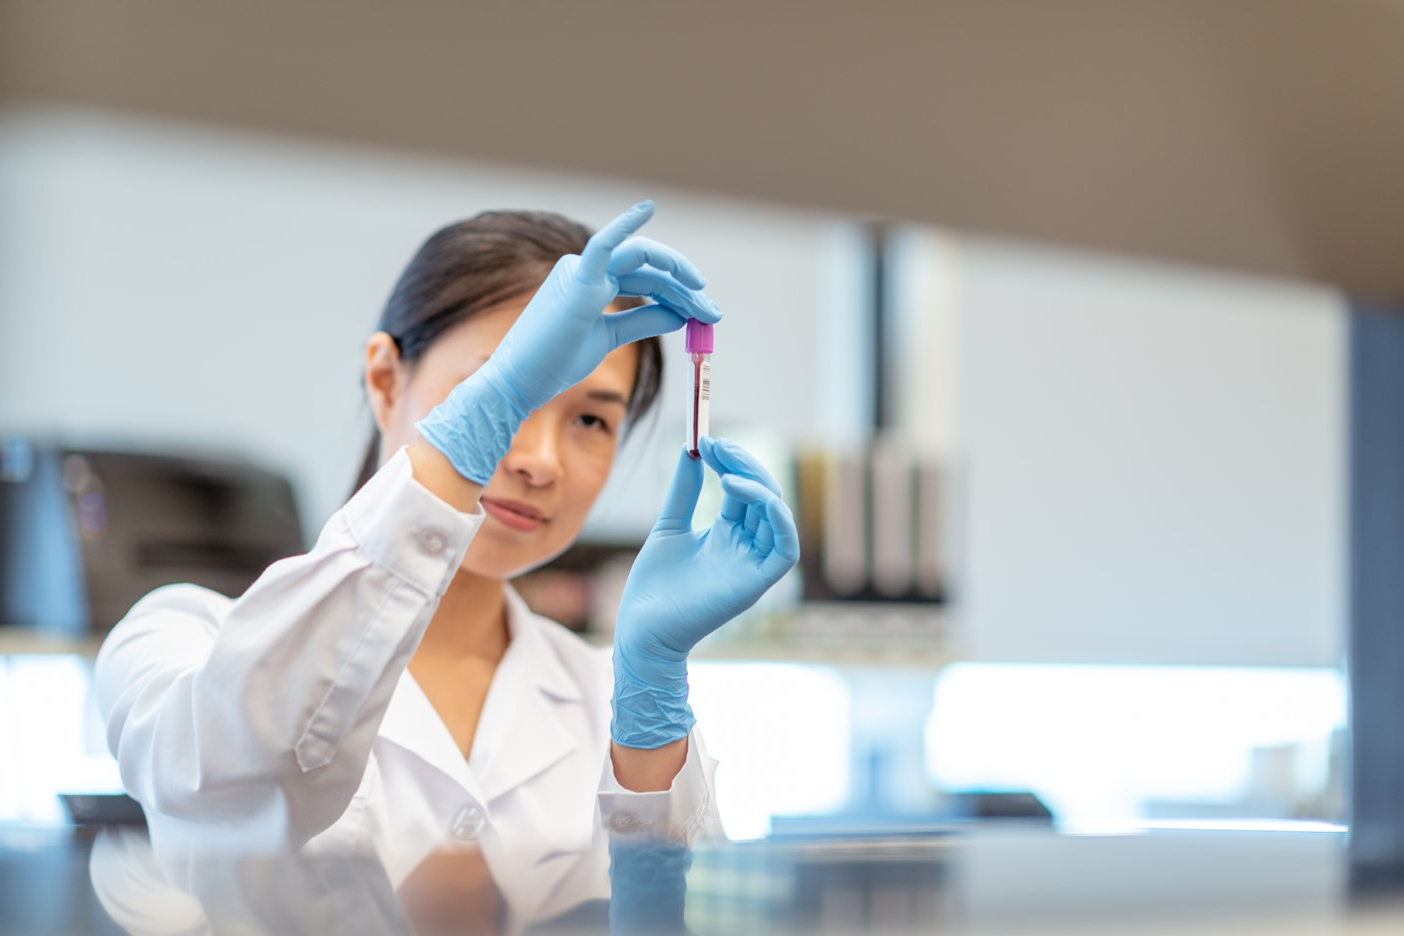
{"x": 478, "y": 265}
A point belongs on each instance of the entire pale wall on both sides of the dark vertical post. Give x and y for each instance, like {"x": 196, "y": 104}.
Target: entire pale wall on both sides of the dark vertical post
{"x": 1155, "y": 455}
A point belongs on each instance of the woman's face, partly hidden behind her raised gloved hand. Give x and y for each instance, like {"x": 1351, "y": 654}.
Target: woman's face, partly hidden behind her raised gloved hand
{"x": 538, "y": 499}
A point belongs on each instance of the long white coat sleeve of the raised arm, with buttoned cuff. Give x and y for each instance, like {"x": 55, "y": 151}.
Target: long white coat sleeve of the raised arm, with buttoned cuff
{"x": 253, "y": 721}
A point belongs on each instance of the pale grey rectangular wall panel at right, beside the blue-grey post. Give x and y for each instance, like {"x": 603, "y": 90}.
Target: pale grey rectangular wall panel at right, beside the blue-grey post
{"x": 1155, "y": 462}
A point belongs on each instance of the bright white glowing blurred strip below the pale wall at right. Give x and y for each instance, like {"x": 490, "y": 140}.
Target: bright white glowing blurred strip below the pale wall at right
{"x": 1104, "y": 747}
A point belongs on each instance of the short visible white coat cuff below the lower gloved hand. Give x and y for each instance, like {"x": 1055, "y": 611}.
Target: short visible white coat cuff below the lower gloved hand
{"x": 682, "y": 813}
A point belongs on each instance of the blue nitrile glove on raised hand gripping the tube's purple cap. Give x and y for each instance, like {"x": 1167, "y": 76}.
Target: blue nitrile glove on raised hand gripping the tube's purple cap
{"x": 562, "y": 337}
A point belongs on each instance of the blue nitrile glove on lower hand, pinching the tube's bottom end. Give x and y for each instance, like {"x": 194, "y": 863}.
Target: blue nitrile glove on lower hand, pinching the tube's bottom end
{"x": 689, "y": 583}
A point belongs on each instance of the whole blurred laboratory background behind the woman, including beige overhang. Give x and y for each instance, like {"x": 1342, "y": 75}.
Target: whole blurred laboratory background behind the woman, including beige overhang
{"x": 1049, "y": 316}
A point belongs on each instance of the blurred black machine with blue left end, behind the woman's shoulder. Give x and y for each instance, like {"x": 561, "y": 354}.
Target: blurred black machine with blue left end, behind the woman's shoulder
{"x": 86, "y": 533}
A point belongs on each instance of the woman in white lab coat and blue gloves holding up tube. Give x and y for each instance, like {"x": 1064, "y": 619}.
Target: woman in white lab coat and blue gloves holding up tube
{"x": 388, "y": 691}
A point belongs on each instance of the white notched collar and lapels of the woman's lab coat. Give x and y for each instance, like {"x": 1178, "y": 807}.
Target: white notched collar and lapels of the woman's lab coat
{"x": 520, "y": 732}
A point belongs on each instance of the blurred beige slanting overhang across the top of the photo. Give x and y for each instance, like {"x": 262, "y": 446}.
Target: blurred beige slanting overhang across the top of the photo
{"x": 1264, "y": 135}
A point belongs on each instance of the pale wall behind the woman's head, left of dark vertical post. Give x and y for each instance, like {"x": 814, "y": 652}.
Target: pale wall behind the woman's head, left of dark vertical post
{"x": 175, "y": 286}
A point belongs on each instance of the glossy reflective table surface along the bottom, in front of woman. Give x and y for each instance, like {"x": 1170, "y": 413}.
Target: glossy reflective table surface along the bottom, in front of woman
{"x": 984, "y": 879}
